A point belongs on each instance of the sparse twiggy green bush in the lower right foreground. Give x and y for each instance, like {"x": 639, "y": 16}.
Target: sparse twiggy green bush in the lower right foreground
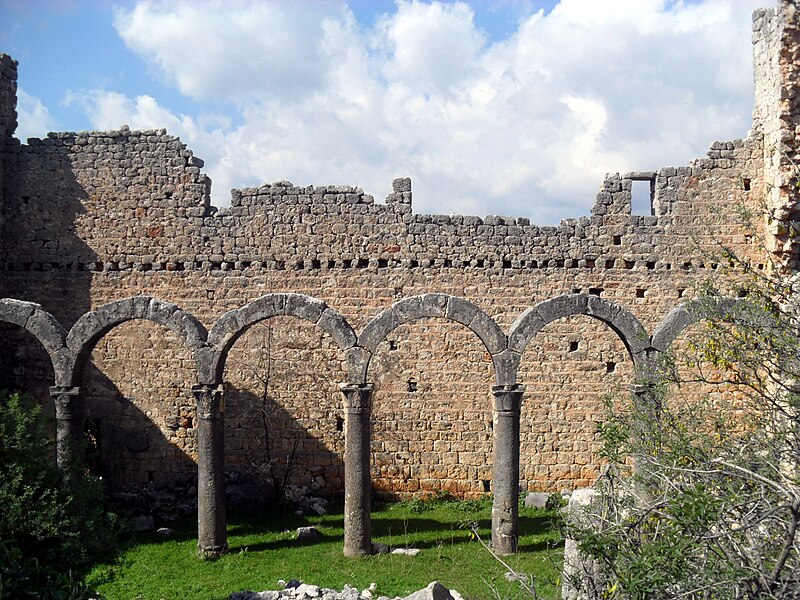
{"x": 712, "y": 507}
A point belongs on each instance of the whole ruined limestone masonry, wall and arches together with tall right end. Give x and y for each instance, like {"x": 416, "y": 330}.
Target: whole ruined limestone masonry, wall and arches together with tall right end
{"x": 306, "y": 288}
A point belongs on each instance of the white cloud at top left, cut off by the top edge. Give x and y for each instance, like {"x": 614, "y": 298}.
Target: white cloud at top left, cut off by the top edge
{"x": 236, "y": 50}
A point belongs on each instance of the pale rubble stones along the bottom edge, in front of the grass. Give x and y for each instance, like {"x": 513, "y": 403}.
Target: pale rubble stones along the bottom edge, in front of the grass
{"x": 303, "y": 591}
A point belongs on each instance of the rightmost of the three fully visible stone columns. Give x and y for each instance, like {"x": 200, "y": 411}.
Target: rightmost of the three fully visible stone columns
{"x": 505, "y": 468}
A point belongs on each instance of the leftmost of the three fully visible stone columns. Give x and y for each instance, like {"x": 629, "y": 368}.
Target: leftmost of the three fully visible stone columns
{"x": 212, "y": 538}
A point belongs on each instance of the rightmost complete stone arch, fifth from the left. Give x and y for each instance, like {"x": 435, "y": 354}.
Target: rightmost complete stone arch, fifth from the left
{"x": 620, "y": 320}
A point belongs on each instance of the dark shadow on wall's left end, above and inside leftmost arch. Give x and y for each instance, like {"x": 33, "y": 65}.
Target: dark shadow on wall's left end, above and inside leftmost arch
{"x": 55, "y": 272}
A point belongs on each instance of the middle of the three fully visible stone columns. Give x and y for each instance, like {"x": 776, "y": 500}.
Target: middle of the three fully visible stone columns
{"x": 357, "y": 481}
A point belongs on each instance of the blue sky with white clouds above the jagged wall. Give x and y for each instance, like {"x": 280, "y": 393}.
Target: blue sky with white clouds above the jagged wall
{"x": 511, "y": 107}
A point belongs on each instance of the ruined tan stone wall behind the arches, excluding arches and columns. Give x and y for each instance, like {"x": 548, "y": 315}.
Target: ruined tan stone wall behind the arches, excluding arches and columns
{"x": 97, "y": 216}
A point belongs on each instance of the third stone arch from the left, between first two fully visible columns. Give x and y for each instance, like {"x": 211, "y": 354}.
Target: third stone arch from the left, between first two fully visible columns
{"x": 234, "y": 323}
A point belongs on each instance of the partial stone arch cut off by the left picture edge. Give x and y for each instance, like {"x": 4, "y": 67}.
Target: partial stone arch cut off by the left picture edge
{"x": 45, "y": 328}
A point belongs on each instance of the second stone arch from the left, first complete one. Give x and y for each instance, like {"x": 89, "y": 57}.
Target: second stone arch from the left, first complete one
{"x": 93, "y": 325}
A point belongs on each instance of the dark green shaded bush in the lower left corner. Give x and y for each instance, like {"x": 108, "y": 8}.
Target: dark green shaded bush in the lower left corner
{"x": 48, "y": 527}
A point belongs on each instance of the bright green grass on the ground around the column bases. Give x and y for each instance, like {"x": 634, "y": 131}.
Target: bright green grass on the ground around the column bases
{"x": 263, "y": 550}
